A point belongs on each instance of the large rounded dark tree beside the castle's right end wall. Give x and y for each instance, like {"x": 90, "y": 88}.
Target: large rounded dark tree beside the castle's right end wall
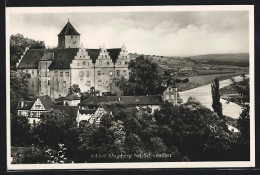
{"x": 143, "y": 79}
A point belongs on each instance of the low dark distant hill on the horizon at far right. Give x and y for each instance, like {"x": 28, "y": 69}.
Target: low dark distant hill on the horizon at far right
{"x": 238, "y": 59}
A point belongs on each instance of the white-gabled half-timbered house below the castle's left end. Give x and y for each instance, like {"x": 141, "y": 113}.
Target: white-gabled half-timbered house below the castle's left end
{"x": 33, "y": 109}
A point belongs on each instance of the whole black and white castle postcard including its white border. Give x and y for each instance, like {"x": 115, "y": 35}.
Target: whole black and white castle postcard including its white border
{"x": 130, "y": 87}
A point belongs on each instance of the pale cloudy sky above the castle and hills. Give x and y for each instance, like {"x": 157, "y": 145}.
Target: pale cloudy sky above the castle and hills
{"x": 180, "y": 33}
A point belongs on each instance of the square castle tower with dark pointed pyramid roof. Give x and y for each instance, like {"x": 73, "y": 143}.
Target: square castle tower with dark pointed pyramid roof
{"x": 68, "y": 37}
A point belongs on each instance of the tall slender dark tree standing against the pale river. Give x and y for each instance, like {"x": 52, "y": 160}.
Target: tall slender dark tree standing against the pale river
{"x": 216, "y": 104}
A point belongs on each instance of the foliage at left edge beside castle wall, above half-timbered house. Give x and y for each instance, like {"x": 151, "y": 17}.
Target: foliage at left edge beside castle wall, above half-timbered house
{"x": 19, "y": 83}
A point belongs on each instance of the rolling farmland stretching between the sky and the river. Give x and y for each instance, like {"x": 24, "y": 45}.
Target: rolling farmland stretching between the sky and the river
{"x": 202, "y": 69}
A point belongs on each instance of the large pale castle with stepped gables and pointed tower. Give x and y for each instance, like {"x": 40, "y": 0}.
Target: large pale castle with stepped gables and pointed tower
{"x": 53, "y": 71}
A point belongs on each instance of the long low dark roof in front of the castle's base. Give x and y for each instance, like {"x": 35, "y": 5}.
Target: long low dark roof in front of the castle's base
{"x": 128, "y": 100}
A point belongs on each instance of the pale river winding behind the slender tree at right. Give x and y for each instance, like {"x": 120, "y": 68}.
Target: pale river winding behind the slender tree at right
{"x": 203, "y": 95}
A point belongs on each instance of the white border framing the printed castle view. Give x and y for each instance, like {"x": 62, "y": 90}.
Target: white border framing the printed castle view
{"x": 223, "y": 164}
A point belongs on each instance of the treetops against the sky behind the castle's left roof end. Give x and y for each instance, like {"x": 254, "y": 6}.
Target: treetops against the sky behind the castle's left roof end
{"x": 17, "y": 46}
